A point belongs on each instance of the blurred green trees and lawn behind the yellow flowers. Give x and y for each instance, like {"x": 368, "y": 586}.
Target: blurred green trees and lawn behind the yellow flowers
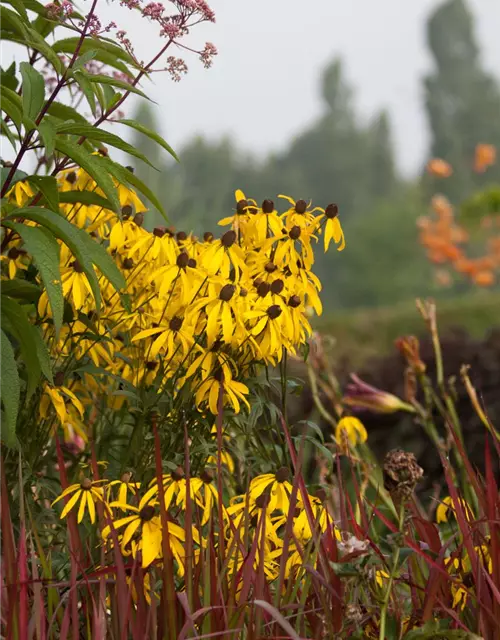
{"x": 343, "y": 158}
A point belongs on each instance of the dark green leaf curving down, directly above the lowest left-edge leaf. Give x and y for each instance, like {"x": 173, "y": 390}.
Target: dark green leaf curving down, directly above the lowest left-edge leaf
{"x": 14, "y": 320}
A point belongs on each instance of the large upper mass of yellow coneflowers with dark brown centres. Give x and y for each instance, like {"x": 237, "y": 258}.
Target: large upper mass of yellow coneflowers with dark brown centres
{"x": 200, "y": 313}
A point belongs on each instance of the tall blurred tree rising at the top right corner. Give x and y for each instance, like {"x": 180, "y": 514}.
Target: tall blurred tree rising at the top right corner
{"x": 462, "y": 100}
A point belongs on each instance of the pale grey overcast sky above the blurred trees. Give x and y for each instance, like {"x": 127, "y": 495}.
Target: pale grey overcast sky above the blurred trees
{"x": 268, "y": 45}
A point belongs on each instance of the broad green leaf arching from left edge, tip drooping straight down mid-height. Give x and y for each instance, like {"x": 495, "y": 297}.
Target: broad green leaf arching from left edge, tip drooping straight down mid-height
{"x": 45, "y": 250}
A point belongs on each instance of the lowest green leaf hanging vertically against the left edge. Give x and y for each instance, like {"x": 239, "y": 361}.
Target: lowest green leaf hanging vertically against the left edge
{"x": 10, "y": 391}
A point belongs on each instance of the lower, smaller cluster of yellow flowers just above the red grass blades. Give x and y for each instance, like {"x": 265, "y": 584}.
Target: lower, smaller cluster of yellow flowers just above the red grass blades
{"x": 258, "y": 517}
